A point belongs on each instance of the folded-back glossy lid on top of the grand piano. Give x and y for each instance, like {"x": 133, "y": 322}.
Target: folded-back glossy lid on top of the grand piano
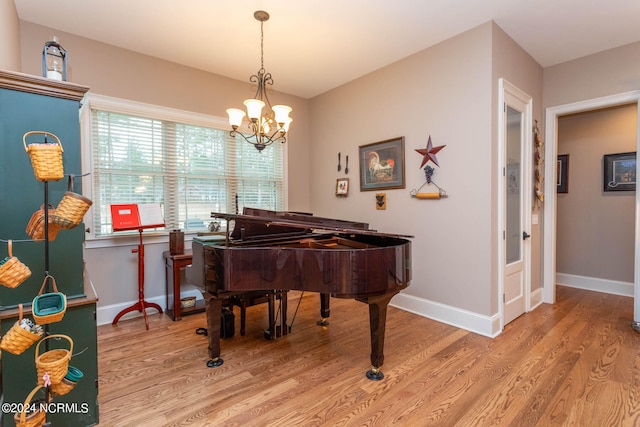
{"x": 260, "y": 223}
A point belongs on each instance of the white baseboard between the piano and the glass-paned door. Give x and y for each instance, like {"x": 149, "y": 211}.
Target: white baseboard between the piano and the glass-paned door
{"x": 474, "y": 322}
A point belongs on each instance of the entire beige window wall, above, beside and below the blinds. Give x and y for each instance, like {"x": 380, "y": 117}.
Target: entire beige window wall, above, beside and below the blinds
{"x": 120, "y": 73}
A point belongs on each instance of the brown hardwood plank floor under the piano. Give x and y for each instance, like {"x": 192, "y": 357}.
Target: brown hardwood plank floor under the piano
{"x": 574, "y": 363}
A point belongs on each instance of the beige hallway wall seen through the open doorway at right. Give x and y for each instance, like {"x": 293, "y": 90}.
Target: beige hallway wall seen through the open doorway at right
{"x": 595, "y": 236}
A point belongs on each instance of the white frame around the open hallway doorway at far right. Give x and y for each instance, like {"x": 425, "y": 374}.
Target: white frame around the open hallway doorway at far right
{"x": 550, "y": 173}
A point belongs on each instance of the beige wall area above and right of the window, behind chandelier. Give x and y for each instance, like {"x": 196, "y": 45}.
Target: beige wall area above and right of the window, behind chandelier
{"x": 121, "y": 73}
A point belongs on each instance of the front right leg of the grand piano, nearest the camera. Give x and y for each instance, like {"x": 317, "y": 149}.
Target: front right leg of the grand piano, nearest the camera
{"x": 377, "y": 323}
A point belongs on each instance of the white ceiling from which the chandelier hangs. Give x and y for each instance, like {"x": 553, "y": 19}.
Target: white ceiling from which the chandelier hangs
{"x": 312, "y": 46}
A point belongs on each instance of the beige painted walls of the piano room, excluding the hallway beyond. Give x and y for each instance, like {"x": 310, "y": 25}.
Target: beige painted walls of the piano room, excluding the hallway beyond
{"x": 448, "y": 91}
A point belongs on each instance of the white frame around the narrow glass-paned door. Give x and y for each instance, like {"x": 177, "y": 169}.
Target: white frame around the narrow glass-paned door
{"x": 527, "y": 133}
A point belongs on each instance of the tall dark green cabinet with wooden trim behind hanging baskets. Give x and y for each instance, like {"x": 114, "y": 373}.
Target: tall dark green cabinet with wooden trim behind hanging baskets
{"x": 29, "y": 103}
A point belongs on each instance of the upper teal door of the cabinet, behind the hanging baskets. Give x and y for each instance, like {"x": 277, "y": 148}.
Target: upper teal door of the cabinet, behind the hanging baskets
{"x": 21, "y": 194}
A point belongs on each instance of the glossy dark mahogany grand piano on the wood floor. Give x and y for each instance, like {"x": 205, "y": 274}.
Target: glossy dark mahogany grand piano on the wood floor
{"x": 273, "y": 250}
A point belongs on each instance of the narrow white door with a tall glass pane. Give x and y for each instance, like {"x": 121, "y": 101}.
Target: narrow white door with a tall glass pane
{"x": 516, "y": 200}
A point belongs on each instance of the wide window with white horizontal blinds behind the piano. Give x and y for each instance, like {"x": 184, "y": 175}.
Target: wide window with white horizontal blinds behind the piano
{"x": 185, "y": 161}
